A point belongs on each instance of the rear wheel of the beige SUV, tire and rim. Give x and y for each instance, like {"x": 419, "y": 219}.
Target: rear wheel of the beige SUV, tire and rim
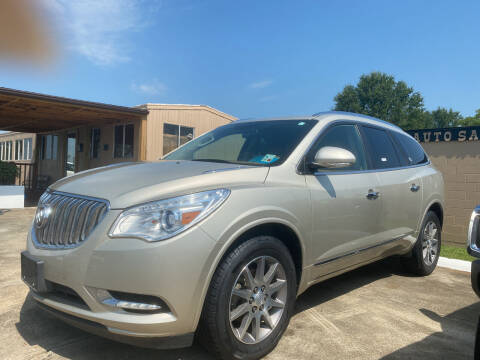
{"x": 417, "y": 263}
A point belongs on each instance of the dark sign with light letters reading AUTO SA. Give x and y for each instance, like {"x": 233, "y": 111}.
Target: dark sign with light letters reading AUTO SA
{"x": 460, "y": 134}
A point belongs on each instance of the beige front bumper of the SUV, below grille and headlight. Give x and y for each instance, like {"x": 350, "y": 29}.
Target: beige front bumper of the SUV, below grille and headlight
{"x": 174, "y": 270}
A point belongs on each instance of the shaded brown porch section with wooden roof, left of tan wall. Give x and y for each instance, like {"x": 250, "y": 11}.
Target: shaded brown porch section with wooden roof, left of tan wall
{"x": 72, "y": 135}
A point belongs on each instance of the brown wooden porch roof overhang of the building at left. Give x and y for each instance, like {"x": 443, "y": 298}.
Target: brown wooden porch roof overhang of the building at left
{"x": 25, "y": 111}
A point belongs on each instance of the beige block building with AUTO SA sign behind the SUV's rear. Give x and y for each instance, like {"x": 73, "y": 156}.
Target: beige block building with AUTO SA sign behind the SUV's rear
{"x": 456, "y": 153}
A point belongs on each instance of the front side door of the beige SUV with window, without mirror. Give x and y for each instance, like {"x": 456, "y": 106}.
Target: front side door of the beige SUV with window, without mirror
{"x": 345, "y": 218}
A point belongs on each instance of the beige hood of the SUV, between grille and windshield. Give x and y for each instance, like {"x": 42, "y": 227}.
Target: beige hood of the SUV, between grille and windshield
{"x": 128, "y": 184}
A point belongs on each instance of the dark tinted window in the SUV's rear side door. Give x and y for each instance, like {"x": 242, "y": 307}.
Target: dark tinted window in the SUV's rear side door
{"x": 381, "y": 148}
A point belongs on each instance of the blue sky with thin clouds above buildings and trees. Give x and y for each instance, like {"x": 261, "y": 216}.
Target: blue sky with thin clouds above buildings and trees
{"x": 256, "y": 58}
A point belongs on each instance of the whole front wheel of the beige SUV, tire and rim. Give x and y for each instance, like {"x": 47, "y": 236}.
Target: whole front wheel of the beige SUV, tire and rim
{"x": 226, "y": 339}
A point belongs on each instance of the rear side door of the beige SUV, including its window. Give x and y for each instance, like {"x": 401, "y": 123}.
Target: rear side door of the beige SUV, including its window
{"x": 400, "y": 184}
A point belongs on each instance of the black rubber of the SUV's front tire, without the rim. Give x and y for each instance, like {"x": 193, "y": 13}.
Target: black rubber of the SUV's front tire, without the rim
{"x": 253, "y": 248}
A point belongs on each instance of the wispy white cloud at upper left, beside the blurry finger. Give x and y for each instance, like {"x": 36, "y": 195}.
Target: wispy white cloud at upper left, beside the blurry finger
{"x": 99, "y": 29}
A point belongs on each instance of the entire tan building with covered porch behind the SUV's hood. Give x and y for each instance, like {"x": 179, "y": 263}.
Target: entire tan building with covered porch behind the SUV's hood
{"x": 69, "y": 136}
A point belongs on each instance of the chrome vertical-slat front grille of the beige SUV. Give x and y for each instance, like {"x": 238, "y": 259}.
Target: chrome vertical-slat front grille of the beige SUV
{"x": 65, "y": 220}
